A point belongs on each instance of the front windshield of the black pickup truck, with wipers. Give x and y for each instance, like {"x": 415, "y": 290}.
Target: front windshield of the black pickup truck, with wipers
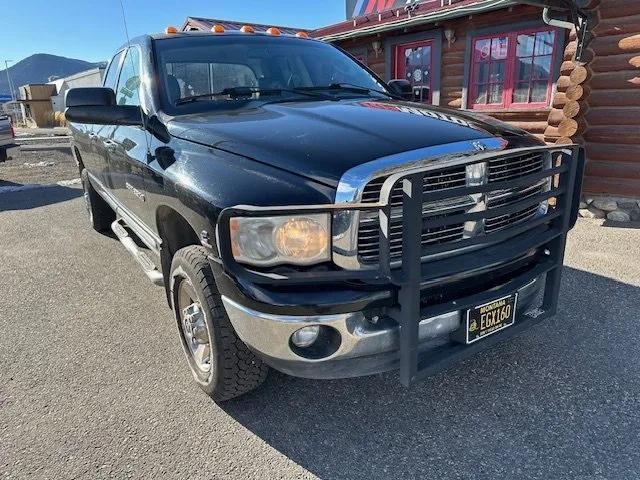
{"x": 215, "y": 70}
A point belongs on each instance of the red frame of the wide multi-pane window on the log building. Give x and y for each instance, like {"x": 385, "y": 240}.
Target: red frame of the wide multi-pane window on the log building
{"x": 510, "y": 73}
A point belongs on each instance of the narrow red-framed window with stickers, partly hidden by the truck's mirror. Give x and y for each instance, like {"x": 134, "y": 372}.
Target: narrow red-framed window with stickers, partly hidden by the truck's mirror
{"x": 414, "y": 63}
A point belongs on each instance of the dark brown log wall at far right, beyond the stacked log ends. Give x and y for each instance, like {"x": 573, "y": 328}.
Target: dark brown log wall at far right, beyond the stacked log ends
{"x": 612, "y": 101}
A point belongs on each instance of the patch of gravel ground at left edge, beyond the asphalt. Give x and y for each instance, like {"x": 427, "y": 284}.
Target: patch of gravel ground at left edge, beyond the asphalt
{"x": 41, "y": 166}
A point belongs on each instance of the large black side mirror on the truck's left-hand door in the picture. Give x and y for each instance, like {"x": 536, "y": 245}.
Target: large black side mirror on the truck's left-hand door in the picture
{"x": 98, "y": 106}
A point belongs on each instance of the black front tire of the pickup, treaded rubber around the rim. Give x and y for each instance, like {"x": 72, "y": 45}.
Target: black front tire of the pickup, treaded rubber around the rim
{"x": 233, "y": 369}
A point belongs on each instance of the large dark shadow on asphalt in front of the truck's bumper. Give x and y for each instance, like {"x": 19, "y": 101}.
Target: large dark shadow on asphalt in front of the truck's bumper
{"x": 553, "y": 398}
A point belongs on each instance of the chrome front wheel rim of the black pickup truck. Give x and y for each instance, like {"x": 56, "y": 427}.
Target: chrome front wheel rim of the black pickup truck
{"x": 194, "y": 327}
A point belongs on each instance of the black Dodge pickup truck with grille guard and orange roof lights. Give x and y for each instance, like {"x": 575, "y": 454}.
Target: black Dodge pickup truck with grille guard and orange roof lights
{"x": 302, "y": 215}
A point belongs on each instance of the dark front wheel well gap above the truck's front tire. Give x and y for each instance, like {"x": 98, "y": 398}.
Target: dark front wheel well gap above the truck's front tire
{"x": 176, "y": 233}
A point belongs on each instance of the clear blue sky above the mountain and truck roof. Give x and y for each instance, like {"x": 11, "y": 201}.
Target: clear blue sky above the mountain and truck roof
{"x": 91, "y": 30}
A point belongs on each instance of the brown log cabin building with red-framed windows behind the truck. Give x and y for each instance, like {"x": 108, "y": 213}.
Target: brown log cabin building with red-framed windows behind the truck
{"x": 499, "y": 58}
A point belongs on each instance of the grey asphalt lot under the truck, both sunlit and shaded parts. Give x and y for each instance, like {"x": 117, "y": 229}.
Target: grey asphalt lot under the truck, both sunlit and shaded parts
{"x": 93, "y": 383}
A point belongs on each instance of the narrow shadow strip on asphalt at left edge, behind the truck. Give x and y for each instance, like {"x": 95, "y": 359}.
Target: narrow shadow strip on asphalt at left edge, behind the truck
{"x": 38, "y": 196}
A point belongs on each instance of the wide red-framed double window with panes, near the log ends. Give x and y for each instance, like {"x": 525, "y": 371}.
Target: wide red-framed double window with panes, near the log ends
{"x": 513, "y": 70}
